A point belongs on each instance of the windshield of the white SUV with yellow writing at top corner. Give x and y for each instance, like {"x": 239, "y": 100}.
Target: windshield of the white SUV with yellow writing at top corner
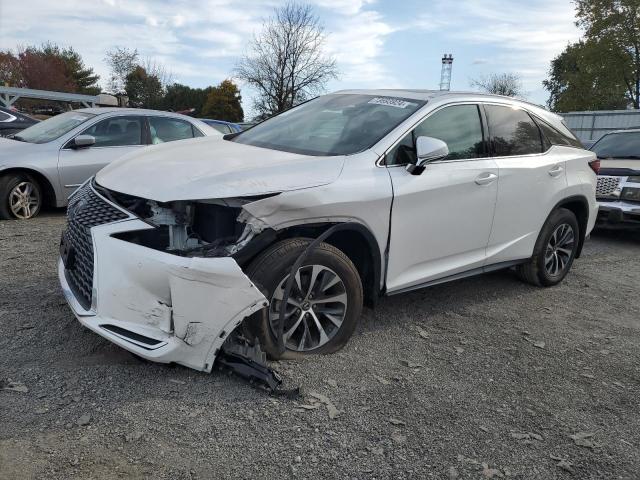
{"x": 332, "y": 124}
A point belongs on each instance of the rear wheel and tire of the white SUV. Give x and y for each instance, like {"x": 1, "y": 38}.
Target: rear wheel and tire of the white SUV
{"x": 554, "y": 251}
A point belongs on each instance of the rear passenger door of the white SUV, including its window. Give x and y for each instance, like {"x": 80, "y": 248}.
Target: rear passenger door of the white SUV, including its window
{"x": 532, "y": 180}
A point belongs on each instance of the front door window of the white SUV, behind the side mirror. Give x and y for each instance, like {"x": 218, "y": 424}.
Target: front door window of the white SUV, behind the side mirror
{"x": 459, "y": 126}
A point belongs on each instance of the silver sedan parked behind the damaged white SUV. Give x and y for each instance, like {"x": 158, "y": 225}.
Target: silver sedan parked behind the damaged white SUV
{"x": 45, "y": 163}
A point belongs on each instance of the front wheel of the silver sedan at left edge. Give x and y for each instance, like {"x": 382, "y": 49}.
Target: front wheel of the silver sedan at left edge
{"x": 20, "y": 197}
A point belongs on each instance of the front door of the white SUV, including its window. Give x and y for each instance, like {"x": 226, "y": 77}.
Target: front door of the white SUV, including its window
{"x": 441, "y": 220}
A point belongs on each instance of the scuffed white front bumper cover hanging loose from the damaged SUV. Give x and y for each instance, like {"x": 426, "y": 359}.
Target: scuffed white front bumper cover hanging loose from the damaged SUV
{"x": 162, "y": 307}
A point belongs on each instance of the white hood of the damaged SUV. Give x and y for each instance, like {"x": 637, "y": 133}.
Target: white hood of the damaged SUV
{"x": 206, "y": 168}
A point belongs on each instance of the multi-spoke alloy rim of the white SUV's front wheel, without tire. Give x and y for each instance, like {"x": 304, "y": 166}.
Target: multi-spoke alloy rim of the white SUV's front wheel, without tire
{"x": 315, "y": 309}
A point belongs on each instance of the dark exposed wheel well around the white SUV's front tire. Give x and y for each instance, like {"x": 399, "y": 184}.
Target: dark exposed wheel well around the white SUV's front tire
{"x": 358, "y": 244}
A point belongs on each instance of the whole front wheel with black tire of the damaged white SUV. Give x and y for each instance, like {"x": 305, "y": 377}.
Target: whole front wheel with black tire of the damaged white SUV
{"x": 325, "y": 302}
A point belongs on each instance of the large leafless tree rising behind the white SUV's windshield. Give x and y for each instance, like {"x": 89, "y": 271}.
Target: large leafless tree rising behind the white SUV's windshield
{"x": 286, "y": 64}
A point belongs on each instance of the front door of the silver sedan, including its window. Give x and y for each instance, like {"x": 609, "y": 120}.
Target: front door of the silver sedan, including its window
{"x": 115, "y": 137}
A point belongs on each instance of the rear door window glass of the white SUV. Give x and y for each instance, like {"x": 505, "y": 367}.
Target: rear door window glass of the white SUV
{"x": 512, "y": 131}
